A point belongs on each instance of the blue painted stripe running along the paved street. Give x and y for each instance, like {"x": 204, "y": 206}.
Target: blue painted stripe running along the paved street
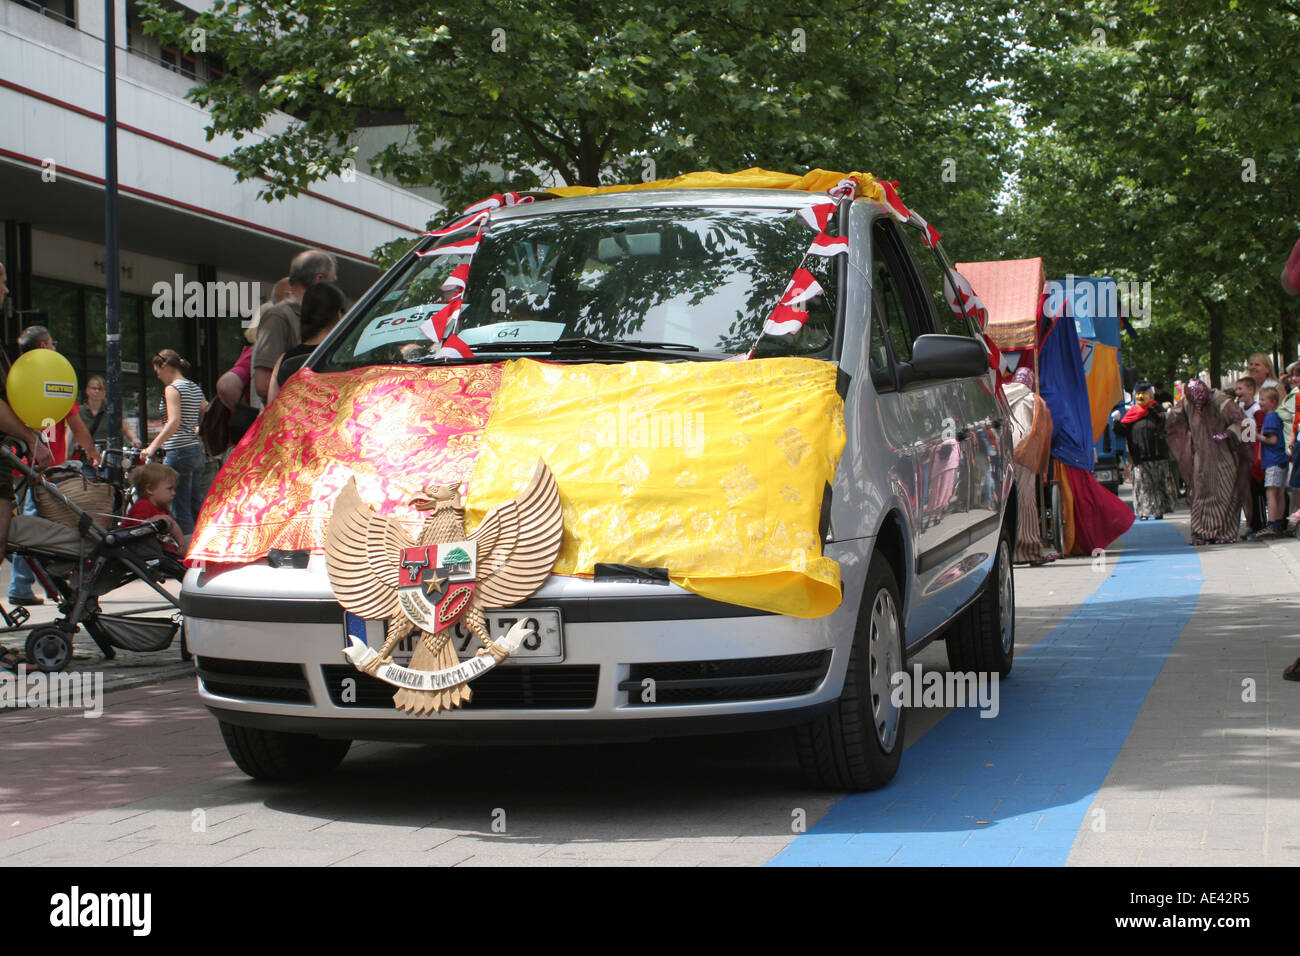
{"x": 1015, "y": 790}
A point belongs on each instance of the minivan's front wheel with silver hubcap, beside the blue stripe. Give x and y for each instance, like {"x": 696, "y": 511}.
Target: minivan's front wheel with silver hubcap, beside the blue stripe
{"x": 857, "y": 745}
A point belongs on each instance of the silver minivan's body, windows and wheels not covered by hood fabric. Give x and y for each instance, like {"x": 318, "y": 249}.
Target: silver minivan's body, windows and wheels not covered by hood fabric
{"x": 921, "y": 516}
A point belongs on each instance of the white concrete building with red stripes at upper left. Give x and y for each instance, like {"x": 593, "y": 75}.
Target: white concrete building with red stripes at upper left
{"x": 183, "y": 213}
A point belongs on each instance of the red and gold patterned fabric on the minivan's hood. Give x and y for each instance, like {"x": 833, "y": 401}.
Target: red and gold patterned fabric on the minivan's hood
{"x": 395, "y": 429}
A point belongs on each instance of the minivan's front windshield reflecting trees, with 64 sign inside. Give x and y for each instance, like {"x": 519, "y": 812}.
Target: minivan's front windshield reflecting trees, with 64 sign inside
{"x": 612, "y": 285}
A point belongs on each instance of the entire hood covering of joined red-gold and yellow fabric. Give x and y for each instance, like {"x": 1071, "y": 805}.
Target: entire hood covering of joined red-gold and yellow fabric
{"x": 713, "y": 470}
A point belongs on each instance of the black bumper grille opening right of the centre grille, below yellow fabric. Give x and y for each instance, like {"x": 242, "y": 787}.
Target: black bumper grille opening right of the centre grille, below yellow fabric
{"x": 704, "y": 682}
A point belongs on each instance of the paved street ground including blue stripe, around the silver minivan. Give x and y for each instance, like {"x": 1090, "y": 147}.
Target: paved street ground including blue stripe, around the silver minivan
{"x": 1146, "y": 723}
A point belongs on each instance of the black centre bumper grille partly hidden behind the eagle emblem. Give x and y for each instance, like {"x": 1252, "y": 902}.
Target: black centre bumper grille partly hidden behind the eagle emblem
{"x": 543, "y": 687}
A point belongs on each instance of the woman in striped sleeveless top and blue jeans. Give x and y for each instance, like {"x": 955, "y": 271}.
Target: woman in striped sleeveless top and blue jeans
{"x": 183, "y": 404}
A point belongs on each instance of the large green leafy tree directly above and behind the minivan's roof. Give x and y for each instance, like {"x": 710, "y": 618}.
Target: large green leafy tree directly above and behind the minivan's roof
{"x": 564, "y": 93}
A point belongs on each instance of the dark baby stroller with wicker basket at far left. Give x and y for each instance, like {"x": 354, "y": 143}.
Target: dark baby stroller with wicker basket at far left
{"x": 83, "y": 557}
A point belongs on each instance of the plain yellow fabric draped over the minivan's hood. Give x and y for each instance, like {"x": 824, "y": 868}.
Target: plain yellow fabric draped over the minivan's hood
{"x": 713, "y": 470}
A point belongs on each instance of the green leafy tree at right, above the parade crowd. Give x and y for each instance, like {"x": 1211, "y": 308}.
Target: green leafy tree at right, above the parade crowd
{"x": 1162, "y": 145}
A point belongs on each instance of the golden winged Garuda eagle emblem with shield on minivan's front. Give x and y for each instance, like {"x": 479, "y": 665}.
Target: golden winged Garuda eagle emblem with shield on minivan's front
{"x": 445, "y": 577}
